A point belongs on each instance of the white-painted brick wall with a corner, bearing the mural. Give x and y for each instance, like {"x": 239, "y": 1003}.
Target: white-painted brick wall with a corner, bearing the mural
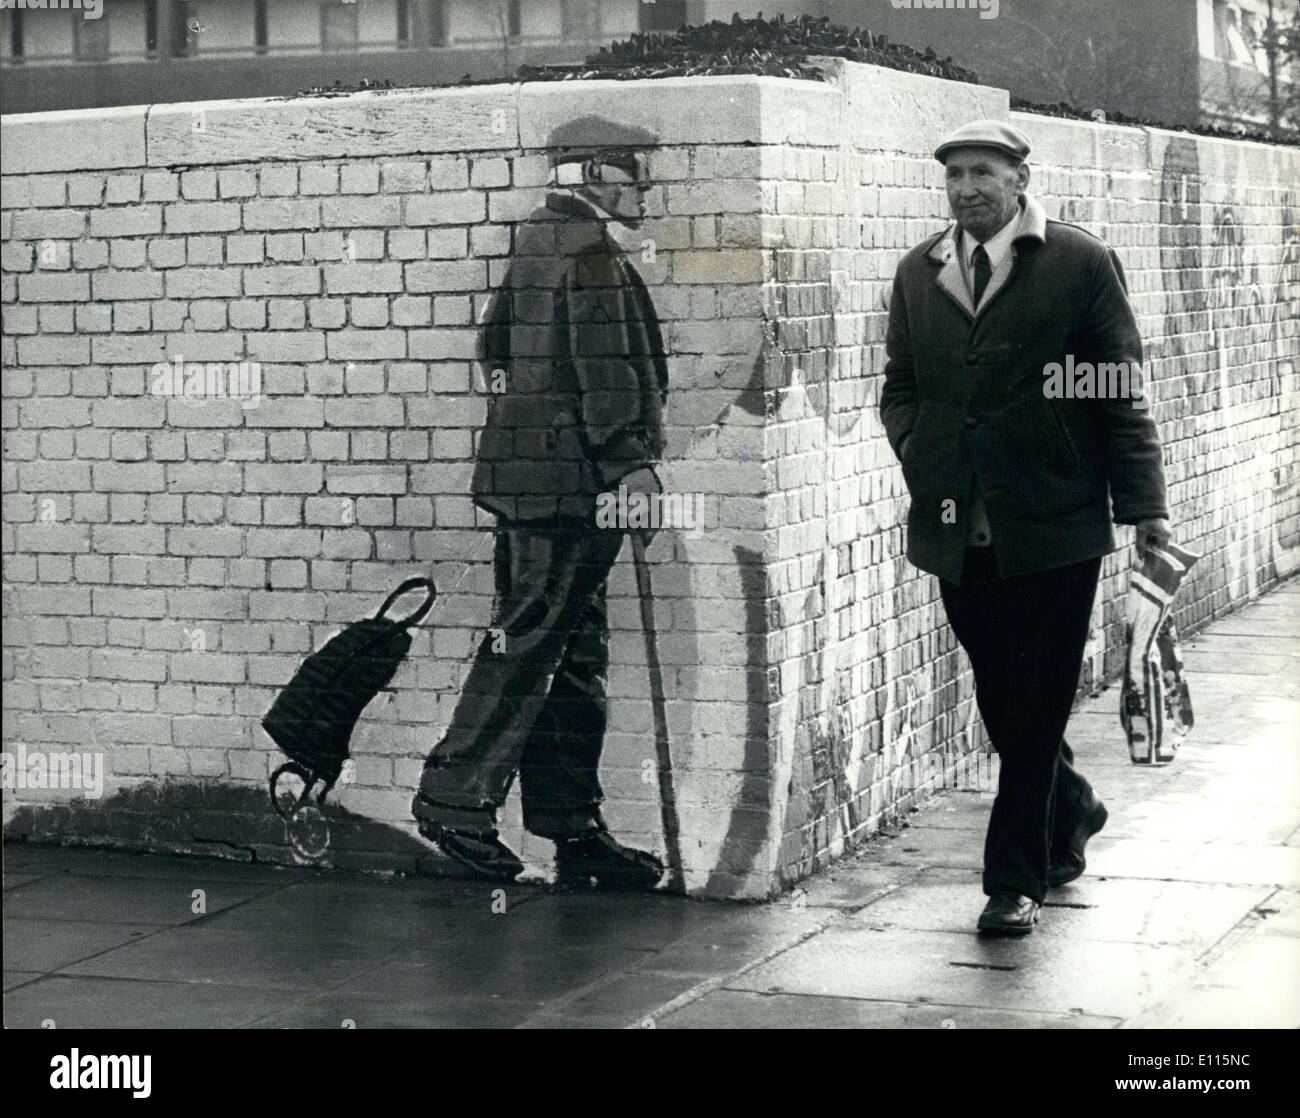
{"x": 350, "y": 246}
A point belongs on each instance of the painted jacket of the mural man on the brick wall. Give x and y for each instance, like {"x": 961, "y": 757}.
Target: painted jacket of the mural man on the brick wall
{"x": 580, "y": 405}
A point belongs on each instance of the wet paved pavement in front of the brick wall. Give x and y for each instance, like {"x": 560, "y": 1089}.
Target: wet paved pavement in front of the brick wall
{"x": 1189, "y": 916}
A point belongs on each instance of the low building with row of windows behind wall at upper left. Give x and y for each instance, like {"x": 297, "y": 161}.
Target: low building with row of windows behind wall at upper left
{"x": 145, "y": 51}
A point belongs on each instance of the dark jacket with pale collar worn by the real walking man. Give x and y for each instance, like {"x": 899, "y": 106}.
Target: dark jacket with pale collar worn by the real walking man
{"x": 965, "y": 409}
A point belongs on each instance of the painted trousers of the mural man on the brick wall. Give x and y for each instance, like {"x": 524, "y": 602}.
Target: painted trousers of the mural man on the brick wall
{"x": 535, "y": 700}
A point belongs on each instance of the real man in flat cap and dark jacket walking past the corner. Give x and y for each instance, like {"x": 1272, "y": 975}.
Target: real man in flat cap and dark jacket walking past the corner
{"x": 1012, "y": 487}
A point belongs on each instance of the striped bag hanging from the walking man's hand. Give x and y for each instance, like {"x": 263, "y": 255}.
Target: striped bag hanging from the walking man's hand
{"x": 1155, "y": 705}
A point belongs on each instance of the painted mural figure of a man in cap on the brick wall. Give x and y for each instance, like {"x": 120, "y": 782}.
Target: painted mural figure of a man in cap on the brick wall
{"x": 575, "y": 366}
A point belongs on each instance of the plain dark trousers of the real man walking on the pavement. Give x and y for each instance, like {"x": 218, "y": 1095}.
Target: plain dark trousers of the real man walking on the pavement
{"x": 1025, "y": 638}
